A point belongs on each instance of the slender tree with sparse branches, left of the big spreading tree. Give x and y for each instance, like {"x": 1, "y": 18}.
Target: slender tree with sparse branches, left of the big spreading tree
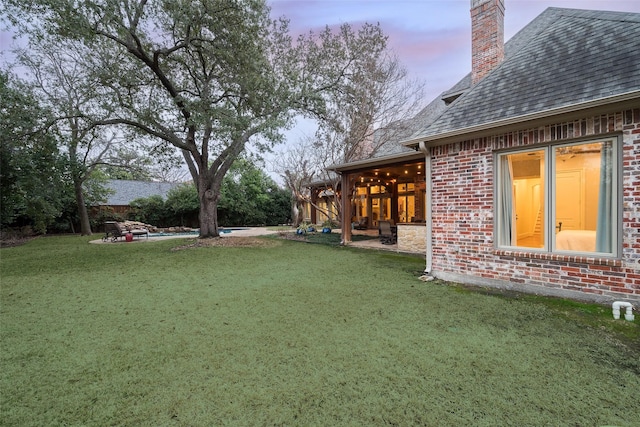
{"x": 64, "y": 85}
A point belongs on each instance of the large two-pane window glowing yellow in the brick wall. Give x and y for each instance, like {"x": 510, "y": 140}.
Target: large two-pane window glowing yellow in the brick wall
{"x": 560, "y": 198}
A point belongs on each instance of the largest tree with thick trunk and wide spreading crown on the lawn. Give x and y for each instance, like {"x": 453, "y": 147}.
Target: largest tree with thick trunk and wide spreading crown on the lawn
{"x": 206, "y": 76}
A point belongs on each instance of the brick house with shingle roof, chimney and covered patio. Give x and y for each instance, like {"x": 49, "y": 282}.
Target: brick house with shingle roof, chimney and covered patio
{"x": 532, "y": 172}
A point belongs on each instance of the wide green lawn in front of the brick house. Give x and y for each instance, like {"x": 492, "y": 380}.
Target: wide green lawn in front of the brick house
{"x": 290, "y": 333}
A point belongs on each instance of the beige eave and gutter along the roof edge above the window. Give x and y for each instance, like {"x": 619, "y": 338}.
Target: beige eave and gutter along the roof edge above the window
{"x": 540, "y": 115}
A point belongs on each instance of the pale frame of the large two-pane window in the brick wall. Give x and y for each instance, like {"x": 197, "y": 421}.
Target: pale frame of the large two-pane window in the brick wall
{"x": 549, "y": 189}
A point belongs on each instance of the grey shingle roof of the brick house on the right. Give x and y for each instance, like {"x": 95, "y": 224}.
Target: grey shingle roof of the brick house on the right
{"x": 563, "y": 59}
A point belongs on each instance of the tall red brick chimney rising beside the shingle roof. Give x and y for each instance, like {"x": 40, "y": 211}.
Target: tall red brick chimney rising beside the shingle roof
{"x": 487, "y": 37}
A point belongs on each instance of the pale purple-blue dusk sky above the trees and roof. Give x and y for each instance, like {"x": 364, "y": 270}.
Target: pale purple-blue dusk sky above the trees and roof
{"x": 431, "y": 37}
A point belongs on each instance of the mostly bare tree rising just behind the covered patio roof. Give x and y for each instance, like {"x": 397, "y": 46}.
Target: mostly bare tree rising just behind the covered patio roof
{"x": 372, "y": 110}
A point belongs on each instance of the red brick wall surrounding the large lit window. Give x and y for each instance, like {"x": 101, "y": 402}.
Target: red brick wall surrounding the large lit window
{"x": 463, "y": 217}
